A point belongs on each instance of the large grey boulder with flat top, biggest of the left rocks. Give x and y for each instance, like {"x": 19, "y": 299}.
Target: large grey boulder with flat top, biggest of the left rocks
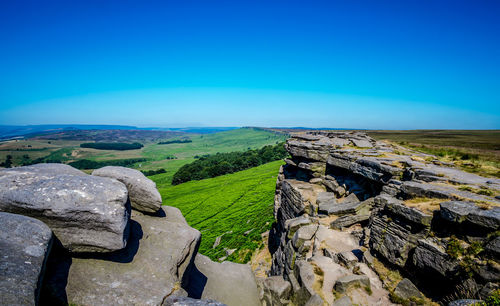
{"x": 86, "y": 213}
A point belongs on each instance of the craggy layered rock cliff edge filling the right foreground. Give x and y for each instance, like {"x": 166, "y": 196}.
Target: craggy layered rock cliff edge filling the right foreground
{"x": 370, "y": 223}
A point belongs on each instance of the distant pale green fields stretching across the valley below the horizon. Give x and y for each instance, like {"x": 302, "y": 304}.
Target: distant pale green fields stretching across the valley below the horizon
{"x": 167, "y": 156}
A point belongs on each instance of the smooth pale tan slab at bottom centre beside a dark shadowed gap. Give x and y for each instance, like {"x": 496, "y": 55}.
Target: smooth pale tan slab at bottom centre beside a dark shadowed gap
{"x": 227, "y": 282}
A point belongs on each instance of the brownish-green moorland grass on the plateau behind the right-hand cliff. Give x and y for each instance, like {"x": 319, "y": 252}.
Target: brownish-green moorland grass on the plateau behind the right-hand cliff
{"x": 474, "y": 151}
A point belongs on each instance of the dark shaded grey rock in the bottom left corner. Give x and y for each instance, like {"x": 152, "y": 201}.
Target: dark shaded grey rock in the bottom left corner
{"x": 24, "y": 243}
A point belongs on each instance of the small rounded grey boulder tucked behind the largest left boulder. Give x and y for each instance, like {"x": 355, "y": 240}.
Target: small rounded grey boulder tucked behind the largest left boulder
{"x": 142, "y": 191}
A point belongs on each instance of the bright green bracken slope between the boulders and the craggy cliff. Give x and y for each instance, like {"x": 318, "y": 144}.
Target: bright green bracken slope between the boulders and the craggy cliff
{"x": 236, "y": 202}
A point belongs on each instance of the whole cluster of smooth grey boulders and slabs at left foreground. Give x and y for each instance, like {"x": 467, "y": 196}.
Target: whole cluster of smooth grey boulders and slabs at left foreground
{"x": 72, "y": 238}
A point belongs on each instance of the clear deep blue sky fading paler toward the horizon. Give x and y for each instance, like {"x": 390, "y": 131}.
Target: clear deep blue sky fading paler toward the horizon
{"x": 344, "y": 64}
